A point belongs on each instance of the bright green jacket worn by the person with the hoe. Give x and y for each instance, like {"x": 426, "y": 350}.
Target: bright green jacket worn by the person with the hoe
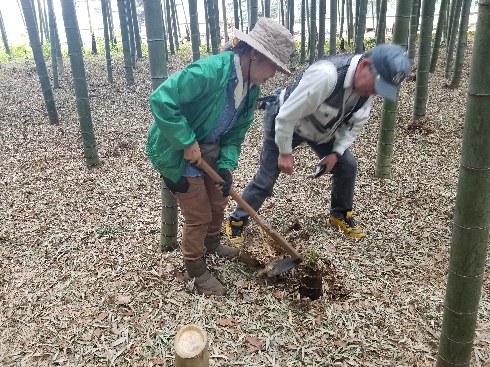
{"x": 186, "y": 108}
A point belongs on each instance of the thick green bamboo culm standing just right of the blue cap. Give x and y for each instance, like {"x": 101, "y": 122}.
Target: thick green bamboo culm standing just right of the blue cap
{"x": 424, "y": 55}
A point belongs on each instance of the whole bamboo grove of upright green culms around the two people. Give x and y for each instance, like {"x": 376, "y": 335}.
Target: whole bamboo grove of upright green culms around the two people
{"x": 207, "y": 25}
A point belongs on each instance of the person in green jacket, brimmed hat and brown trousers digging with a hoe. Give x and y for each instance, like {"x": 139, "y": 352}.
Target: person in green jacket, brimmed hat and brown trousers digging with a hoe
{"x": 204, "y": 112}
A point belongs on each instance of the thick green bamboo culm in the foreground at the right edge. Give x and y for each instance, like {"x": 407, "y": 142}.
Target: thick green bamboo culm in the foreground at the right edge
{"x": 471, "y": 226}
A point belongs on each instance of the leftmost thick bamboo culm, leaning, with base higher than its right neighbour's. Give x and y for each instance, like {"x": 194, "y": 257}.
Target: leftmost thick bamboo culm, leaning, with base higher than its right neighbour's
{"x": 42, "y": 71}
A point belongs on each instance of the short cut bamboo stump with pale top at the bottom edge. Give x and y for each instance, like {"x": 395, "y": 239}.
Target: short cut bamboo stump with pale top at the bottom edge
{"x": 191, "y": 347}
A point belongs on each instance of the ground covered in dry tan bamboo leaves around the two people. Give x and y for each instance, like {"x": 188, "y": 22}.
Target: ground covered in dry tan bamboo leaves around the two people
{"x": 83, "y": 281}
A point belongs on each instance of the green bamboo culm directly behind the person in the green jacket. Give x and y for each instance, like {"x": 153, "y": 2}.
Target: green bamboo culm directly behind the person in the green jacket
{"x": 157, "y": 50}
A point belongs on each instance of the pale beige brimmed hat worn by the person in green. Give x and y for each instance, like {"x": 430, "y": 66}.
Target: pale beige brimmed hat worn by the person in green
{"x": 270, "y": 39}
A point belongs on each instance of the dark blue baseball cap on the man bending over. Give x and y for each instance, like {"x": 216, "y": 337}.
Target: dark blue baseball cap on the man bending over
{"x": 390, "y": 65}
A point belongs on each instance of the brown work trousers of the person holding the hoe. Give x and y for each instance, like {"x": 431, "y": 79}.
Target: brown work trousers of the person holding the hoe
{"x": 202, "y": 207}
